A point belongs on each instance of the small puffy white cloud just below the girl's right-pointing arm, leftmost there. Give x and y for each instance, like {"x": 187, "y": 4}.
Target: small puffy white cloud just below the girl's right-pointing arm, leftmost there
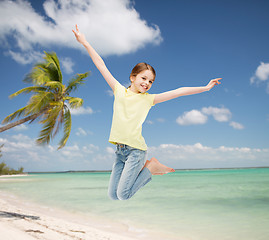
{"x": 192, "y": 117}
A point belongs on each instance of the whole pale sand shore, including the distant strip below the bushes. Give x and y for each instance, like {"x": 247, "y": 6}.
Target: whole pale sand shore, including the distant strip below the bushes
{"x": 25, "y": 219}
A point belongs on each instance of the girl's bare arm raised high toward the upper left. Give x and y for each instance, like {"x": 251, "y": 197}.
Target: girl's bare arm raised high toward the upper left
{"x": 97, "y": 60}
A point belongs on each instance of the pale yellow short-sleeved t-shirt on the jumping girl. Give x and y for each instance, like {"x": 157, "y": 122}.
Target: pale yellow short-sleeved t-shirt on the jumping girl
{"x": 130, "y": 112}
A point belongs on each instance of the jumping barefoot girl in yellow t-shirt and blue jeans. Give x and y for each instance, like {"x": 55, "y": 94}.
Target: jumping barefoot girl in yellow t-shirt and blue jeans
{"x": 131, "y": 106}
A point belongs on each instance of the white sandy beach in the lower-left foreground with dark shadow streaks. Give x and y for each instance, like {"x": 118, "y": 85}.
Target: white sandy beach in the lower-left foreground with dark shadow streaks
{"x": 26, "y": 221}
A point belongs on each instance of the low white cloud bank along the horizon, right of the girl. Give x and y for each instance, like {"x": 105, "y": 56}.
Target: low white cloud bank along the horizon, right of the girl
{"x": 200, "y": 156}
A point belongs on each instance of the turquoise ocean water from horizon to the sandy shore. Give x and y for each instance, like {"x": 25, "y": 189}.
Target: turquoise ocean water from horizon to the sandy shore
{"x": 225, "y": 204}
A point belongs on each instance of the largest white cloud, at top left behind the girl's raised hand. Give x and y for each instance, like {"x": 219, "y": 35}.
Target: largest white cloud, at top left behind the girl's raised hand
{"x": 113, "y": 27}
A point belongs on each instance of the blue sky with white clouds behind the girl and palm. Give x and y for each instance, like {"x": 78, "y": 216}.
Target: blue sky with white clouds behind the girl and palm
{"x": 187, "y": 42}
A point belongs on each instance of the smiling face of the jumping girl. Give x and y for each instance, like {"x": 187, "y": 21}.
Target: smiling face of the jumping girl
{"x": 142, "y": 82}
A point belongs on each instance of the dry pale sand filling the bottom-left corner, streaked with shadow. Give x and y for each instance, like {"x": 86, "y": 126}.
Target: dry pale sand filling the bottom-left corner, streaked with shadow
{"x": 19, "y": 223}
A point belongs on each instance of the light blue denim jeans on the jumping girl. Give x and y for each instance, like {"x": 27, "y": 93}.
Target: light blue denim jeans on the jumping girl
{"x": 126, "y": 176}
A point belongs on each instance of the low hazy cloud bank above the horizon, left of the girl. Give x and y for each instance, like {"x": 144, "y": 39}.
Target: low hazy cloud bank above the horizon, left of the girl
{"x": 20, "y": 150}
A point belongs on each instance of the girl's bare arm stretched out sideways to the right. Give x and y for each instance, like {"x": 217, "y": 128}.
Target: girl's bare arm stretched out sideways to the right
{"x": 183, "y": 91}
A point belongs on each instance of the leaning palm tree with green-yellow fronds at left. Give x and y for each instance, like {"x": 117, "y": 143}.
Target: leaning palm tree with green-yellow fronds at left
{"x": 50, "y": 102}
